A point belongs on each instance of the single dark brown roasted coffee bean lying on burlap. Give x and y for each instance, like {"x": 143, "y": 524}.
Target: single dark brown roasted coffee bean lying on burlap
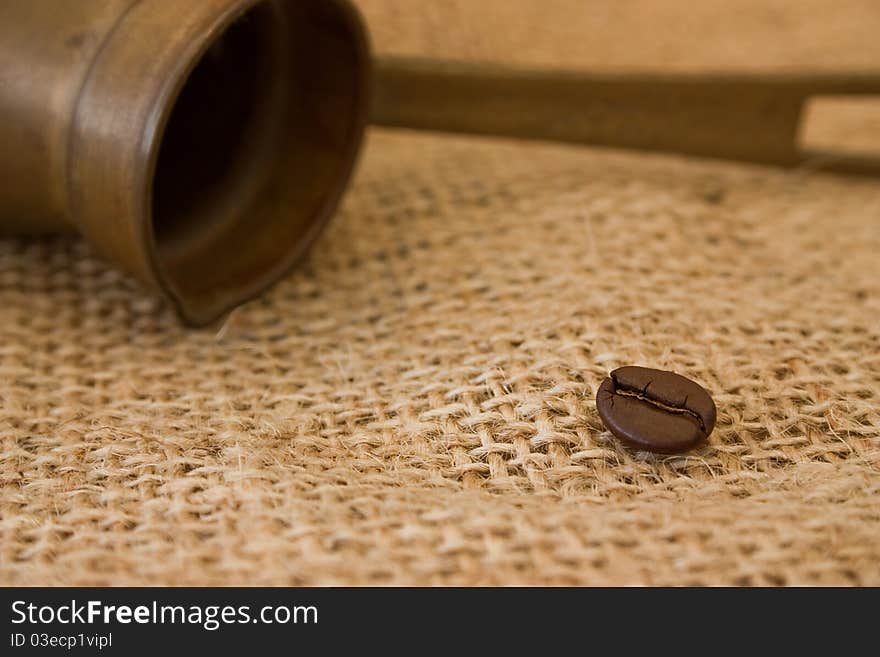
{"x": 654, "y": 410}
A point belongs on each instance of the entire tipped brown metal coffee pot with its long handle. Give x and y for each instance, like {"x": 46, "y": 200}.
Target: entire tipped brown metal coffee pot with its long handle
{"x": 202, "y": 145}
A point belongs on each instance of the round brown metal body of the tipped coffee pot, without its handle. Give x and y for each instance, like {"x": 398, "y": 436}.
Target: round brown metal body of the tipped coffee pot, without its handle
{"x": 198, "y": 145}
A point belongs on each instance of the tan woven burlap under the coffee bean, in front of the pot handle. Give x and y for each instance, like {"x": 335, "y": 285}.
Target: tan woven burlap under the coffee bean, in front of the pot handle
{"x": 415, "y": 405}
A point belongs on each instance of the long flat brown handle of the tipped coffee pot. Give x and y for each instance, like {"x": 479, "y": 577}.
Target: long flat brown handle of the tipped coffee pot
{"x": 748, "y": 117}
